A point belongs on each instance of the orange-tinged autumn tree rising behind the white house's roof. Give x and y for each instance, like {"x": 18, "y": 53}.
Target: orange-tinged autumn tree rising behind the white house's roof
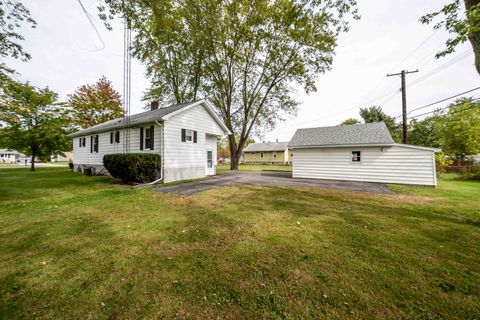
{"x": 95, "y": 104}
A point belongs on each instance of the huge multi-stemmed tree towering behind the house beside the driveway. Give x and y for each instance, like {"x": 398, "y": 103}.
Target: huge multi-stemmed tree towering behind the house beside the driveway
{"x": 245, "y": 56}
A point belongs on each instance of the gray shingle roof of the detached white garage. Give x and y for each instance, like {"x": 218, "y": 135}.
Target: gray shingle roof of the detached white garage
{"x": 357, "y": 134}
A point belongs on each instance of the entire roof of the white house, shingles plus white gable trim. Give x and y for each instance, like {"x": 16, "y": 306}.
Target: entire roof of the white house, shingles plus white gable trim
{"x": 147, "y": 117}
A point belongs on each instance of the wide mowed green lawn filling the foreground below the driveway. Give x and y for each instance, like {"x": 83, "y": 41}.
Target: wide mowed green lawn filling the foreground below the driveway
{"x": 75, "y": 247}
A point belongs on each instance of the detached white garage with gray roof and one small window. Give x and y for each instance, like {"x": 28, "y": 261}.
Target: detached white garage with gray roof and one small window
{"x": 362, "y": 152}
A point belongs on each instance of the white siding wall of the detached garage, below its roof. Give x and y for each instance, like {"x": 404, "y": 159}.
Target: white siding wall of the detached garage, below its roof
{"x": 395, "y": 164}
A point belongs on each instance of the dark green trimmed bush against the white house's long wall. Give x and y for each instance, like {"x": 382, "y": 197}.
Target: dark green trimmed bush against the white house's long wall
{"x": 133, "y": 167}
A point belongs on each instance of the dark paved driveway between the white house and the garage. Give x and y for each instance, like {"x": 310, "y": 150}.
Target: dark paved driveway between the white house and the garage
{"x": 269, "y": 178}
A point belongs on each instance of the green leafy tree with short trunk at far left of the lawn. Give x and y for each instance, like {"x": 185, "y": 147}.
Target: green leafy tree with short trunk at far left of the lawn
{"x": 35, "y": 124}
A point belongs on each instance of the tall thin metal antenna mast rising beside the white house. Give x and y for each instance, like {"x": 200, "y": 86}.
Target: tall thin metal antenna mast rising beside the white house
{"x": 127, "y": 84}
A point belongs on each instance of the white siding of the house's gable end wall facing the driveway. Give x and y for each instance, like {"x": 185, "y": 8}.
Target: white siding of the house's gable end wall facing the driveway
{"x": 188, "y": 160}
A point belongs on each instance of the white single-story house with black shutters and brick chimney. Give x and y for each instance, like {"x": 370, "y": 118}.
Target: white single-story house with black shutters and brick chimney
{"x": 185, "y": 136}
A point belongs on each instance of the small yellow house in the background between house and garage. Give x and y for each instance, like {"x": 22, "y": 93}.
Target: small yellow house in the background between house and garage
{"x": 267, "y": 153}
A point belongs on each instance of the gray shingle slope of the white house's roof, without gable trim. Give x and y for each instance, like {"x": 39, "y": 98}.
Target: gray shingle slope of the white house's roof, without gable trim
{"x": 135, "y": 119}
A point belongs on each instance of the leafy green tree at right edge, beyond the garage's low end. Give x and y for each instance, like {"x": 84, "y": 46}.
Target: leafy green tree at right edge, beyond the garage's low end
{"x": 460, "y": 130}
